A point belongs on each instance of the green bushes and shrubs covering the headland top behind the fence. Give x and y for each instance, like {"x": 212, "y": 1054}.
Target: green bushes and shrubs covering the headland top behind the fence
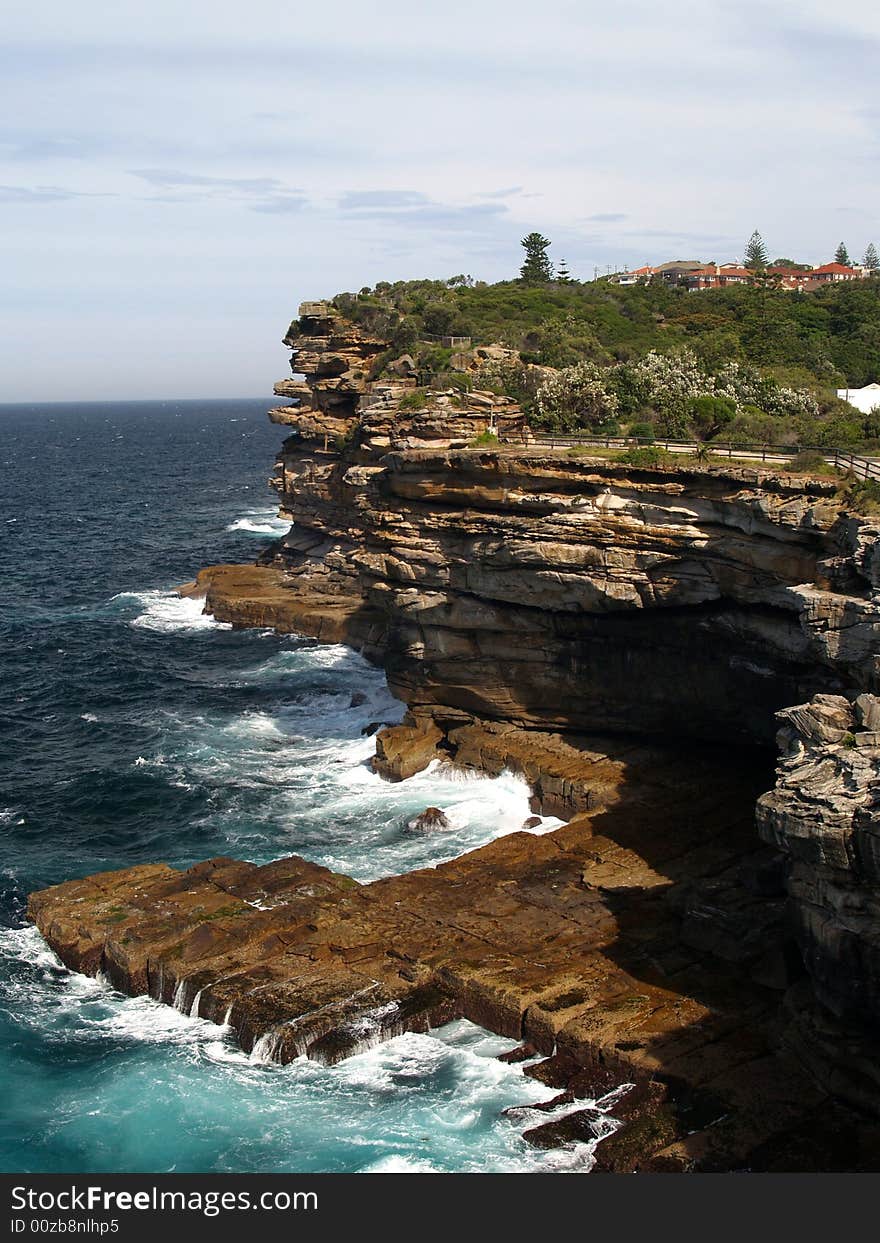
{"x": 740, "y": 365}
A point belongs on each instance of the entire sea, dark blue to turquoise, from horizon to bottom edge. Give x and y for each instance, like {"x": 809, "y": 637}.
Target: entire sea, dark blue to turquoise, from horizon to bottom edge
{"x": 134, "y": 729}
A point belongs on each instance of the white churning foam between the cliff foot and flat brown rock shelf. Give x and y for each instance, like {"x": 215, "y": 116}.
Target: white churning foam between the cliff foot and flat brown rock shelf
{"x": 295, "y": 776}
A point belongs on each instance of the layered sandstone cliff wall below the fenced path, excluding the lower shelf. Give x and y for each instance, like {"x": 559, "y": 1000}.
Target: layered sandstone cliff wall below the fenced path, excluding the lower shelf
{"x": 562, "y": 592}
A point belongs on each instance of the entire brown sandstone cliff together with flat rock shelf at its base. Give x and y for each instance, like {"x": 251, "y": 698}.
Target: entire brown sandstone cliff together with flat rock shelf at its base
{"x": 632, "y": 641}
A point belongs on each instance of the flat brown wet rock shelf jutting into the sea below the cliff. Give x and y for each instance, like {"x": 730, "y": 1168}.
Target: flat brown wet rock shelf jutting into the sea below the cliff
{"x": 567, "y": 942}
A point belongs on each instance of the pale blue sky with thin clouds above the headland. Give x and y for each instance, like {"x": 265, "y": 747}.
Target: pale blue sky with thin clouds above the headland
{"x": 177, "y": 178}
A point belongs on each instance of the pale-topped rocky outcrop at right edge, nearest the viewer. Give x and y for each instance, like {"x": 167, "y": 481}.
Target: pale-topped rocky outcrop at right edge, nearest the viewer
{"x": 825, "y": 816}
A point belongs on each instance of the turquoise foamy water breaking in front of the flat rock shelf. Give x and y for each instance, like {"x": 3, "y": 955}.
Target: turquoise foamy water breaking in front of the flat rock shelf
{"x": 144, "y": 1087}
